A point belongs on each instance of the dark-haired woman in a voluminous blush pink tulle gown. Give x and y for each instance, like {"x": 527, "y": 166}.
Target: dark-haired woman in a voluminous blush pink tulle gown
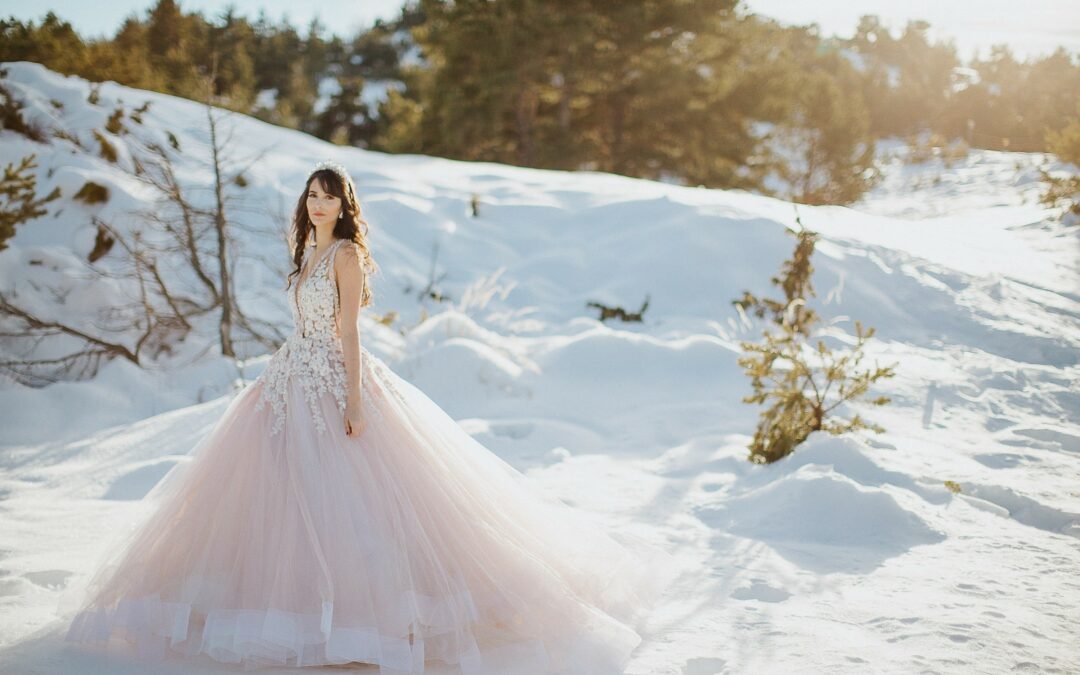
{"x": 335, "y": 515}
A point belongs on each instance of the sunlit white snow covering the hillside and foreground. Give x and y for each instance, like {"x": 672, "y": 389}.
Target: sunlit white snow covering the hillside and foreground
{"x": 850, "y": 556}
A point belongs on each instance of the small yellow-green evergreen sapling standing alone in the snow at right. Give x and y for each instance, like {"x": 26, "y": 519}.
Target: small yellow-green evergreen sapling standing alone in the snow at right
{"x": 801, "y": 384}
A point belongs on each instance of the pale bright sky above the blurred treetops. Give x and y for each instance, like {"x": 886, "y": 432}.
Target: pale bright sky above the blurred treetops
{"x": 1031, "y": 29}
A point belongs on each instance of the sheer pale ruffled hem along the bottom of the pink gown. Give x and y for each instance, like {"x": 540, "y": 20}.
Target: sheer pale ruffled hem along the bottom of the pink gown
{"x": 266, "y": 639}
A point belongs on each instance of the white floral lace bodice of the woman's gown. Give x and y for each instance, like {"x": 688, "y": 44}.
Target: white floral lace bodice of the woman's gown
{"x": 314, "y": 353}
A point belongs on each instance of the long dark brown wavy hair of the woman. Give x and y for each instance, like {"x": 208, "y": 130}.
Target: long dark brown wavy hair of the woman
{"x": 352, "y": 226}
